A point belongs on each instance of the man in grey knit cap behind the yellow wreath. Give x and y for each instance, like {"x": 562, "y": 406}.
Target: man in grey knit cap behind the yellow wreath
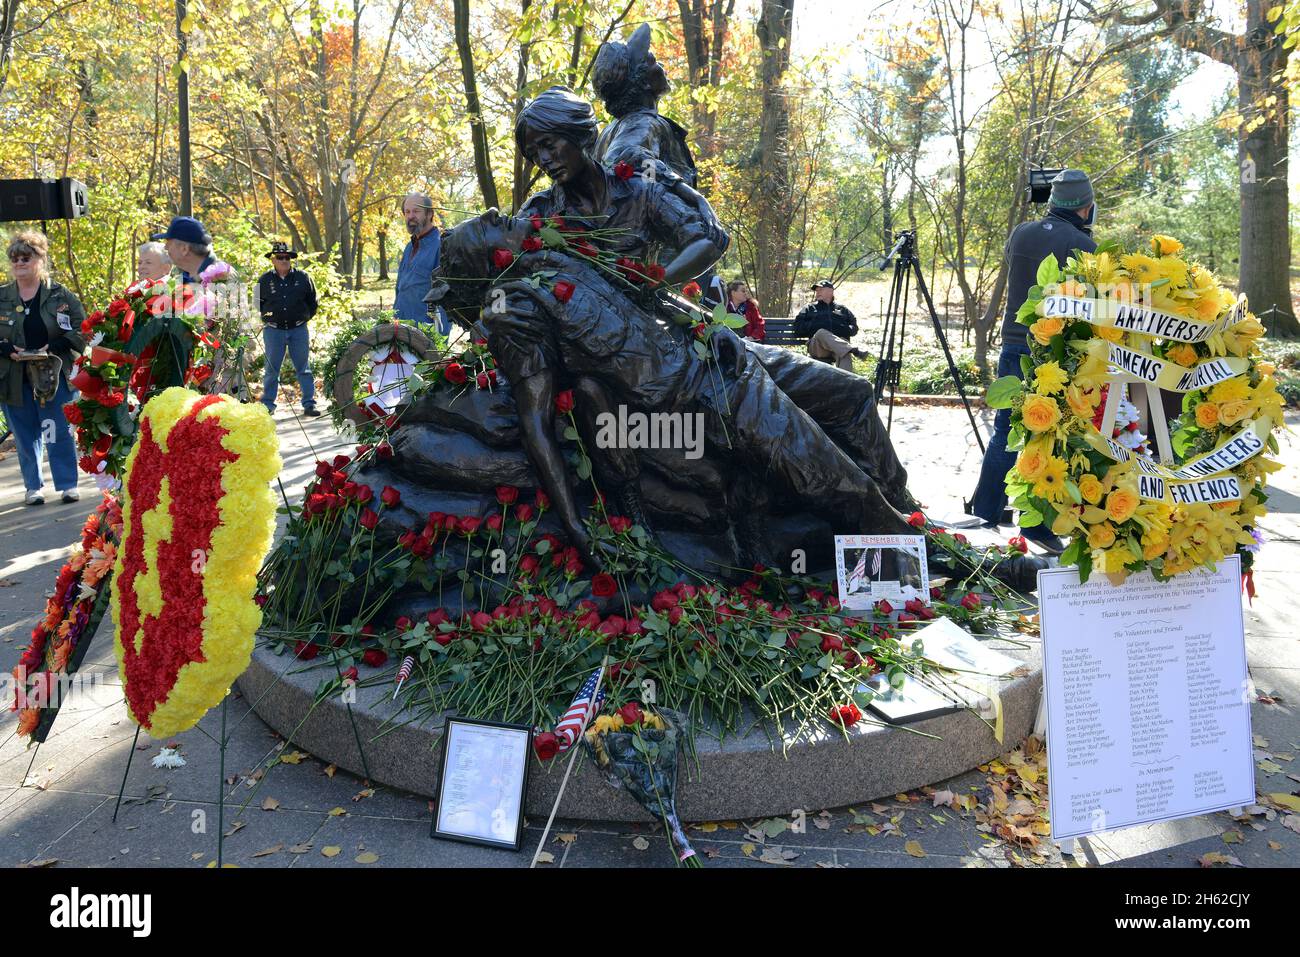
{"x": 1067, "y": 228}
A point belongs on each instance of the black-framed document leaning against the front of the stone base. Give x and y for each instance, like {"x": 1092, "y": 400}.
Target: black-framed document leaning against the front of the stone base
{"x": 484, "y": 776}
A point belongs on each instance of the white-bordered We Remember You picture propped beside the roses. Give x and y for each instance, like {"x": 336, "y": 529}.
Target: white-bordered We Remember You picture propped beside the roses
{"x": 872, "y": 568}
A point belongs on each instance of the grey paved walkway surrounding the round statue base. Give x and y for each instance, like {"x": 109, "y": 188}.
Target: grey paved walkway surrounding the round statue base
{"x": 304, "y": 815}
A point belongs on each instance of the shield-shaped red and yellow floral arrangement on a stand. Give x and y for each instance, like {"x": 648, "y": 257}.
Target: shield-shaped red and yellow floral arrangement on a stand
{"x": 198, "y": 518}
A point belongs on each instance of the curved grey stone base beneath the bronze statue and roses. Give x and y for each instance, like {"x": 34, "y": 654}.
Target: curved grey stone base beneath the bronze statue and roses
{"x": 743, "y": 778}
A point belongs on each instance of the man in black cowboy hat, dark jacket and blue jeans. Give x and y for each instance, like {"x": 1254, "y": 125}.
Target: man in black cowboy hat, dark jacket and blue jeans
{"x": 287, "y": 298}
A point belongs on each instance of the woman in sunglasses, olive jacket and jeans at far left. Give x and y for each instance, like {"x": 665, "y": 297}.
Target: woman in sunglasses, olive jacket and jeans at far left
{"x": 40, "y": 337}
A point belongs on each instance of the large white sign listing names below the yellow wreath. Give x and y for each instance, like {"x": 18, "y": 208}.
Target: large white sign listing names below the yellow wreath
{"x": 1147, "y": 699}
